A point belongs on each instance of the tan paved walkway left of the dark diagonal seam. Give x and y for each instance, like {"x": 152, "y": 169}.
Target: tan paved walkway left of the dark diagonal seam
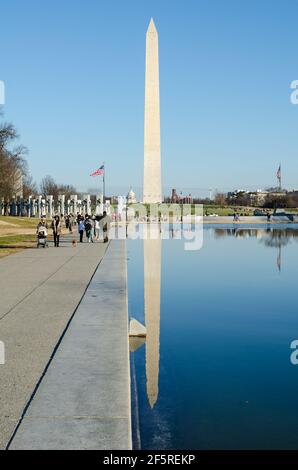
{"x": 40, "y": 290}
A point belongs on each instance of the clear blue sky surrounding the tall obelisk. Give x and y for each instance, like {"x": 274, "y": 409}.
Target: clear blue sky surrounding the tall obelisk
{"x": 74, "y": 76}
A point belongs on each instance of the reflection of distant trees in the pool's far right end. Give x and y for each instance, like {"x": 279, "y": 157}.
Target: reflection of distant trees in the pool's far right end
{"x": 271, "y": 237}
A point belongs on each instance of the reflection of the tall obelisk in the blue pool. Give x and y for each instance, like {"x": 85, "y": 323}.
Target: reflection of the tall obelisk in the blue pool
{"x": 152, "y": 272}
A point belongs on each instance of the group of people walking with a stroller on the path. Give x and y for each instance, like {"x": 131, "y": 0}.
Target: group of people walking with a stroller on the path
{"x": 91, "y": 226}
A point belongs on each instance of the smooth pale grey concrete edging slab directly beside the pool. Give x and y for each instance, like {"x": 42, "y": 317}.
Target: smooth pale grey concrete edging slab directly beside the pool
{"x": 83, "y": 400}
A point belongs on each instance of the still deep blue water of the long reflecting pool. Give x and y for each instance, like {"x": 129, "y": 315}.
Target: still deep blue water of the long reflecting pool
{"x": 219, "y": 367}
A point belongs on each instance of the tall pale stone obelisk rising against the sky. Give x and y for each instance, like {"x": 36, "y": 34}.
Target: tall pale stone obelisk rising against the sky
{"x": 152, "y": 168}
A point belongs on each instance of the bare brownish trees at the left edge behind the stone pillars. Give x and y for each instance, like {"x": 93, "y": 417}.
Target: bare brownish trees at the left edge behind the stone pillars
{"x": 14, "y": 170}
